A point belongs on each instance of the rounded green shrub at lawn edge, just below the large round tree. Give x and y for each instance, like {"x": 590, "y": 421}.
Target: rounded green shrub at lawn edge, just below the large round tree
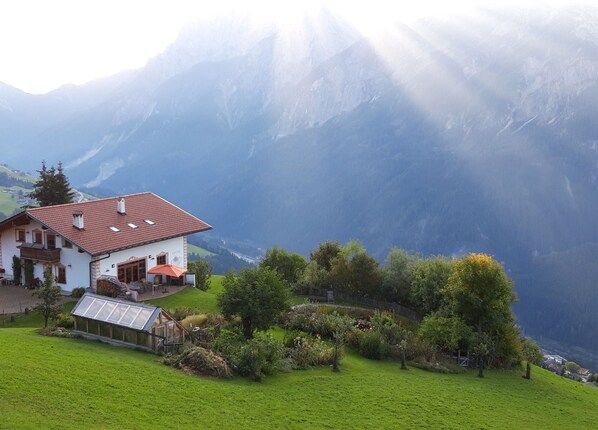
{"x": 259, "y": 357}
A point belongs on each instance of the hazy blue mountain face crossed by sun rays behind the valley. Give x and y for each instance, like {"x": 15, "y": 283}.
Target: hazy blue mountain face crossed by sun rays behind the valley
{"x": 477, "y": 134}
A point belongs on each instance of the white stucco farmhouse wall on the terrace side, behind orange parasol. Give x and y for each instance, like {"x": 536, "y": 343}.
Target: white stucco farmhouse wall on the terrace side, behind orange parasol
{"x": 172, "y": 247}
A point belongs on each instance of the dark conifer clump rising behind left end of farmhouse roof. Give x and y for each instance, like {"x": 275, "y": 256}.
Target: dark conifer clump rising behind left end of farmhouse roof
{"x": 52, "y": 187}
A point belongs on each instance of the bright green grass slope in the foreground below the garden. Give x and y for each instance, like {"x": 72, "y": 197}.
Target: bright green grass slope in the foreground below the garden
{"x": 69, "y": 383}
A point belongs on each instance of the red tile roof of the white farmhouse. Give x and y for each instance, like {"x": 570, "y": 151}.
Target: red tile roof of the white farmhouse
{"x": 99, "y": 216}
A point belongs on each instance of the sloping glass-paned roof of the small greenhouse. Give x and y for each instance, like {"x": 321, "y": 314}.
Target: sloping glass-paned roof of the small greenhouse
{"x": 123, "y": 313}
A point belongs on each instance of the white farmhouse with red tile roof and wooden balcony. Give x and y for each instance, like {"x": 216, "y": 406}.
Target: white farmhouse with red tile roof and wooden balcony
{"x": 122, "y": 237}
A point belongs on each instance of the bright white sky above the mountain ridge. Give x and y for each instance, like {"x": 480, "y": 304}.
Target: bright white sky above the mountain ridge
{"x": 45, "y": 44}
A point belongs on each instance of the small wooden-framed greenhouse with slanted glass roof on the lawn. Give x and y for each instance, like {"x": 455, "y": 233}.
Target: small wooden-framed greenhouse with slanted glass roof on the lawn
{"x": 127, "y": 323}
